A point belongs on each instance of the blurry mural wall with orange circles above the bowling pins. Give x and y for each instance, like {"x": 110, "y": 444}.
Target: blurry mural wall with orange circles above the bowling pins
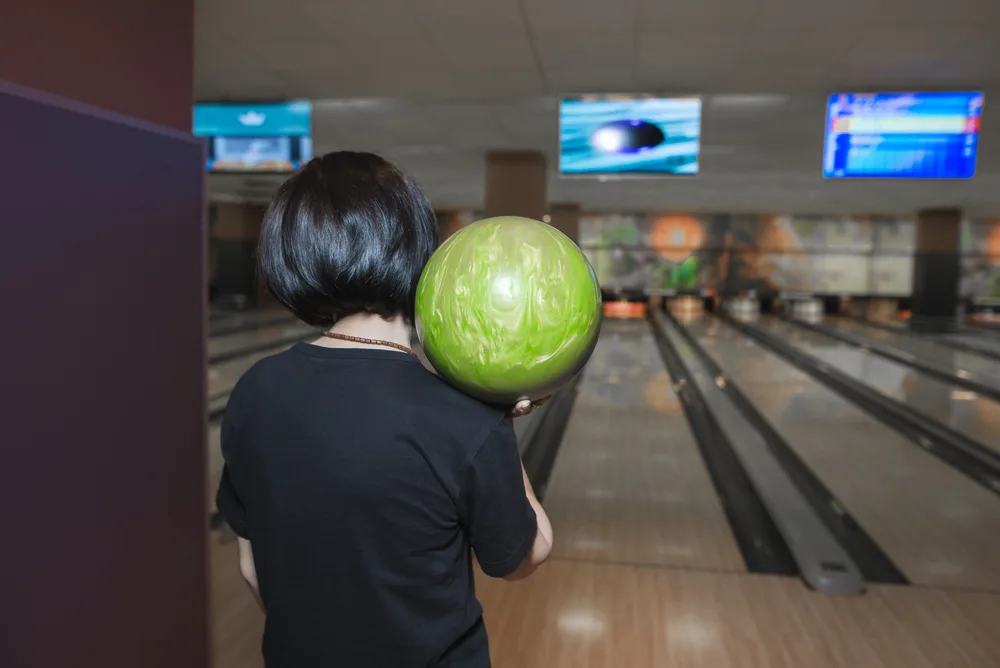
{"x": 856, "y": 255}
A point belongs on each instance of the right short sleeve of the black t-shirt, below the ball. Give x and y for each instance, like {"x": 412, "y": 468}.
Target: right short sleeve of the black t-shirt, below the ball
{"x": 501, "y": 521}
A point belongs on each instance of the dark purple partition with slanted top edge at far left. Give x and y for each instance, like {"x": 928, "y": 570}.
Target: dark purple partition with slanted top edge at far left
{"x": 103, "y": 418}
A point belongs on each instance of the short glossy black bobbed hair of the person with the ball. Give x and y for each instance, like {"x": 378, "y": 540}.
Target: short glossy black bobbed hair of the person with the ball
{"x": 349, "y": 233}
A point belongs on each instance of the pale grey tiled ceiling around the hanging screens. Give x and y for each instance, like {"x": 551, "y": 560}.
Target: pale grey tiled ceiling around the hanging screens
{"x": 435, "y": 84}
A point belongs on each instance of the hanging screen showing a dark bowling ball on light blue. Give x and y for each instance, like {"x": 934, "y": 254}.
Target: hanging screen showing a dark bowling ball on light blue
{"x": 610, "y": 136}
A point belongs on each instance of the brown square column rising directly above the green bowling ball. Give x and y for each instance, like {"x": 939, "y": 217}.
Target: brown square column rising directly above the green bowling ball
{"x": 516, "y": 184}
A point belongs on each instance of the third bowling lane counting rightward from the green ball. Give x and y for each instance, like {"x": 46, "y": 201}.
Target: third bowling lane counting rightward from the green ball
{"x": 964, "y": 411}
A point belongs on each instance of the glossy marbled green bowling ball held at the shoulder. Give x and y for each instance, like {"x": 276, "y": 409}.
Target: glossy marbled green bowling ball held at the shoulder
{"x": 507, "y": 309}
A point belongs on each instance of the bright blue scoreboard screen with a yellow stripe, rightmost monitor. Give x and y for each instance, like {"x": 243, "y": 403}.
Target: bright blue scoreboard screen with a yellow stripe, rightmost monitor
{"x": 902, "y": 135}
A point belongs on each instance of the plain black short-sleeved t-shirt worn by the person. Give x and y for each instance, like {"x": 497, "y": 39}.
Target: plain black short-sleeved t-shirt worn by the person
{"x": 362, "y": 481}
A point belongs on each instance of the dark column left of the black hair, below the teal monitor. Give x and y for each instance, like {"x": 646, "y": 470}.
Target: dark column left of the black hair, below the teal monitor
{"x": 233, "y": 245}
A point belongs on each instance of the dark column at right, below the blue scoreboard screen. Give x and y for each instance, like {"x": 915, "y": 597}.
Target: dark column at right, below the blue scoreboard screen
{"x": 936, "y": 271}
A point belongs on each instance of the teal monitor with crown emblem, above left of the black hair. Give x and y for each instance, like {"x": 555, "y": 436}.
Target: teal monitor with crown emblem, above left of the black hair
{"x": 251, "y": 137}
